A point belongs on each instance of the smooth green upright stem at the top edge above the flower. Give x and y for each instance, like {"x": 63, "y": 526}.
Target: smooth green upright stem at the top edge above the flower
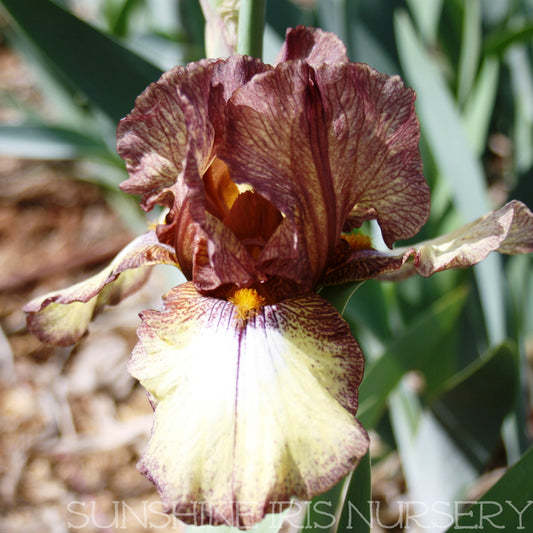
{"x": 251, "y": 27}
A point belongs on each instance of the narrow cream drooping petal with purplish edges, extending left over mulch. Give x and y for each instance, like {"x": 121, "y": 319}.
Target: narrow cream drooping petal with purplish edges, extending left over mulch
{"x": 62, "y": 317}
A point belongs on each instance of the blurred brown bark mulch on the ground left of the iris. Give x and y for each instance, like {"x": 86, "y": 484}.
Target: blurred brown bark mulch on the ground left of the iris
{"x": 73, "y": 423}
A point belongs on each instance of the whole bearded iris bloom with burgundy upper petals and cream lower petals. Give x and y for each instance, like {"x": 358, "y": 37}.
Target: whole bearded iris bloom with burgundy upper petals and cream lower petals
{"x": 265, "y": 173}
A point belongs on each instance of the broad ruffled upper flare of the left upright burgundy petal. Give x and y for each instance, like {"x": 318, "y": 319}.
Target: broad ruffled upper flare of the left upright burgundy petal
{"x": 177, "y": 110}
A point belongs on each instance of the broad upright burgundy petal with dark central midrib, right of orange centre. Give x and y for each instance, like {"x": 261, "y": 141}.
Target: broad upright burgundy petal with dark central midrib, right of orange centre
{"x": 329, "y": 147}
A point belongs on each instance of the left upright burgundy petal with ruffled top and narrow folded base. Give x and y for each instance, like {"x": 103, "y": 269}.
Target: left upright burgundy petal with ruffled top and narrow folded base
{"x": 168, "y": 142}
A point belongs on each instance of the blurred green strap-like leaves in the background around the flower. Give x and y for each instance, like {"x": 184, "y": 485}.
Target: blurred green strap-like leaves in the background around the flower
{"x": 461, "y": 337}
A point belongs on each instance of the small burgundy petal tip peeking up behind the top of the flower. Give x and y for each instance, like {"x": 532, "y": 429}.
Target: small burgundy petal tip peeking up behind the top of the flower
{"x": 313, "y": 45}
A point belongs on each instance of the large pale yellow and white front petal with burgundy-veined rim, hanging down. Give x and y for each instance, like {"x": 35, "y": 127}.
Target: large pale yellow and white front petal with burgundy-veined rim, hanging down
{"x": 247, "y": 414}
